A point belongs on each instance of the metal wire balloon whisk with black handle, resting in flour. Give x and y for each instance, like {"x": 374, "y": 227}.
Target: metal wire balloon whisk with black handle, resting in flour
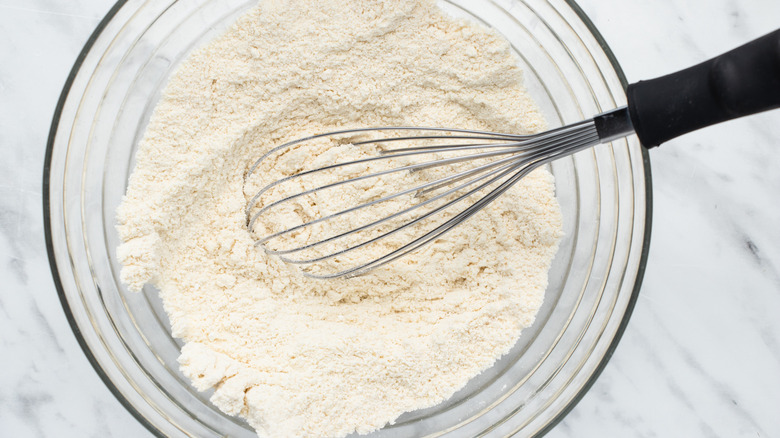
{"x": 404, "y": 187}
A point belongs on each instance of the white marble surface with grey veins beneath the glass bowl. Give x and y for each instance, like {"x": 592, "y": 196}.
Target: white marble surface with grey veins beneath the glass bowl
{"x": 700, "y": 358}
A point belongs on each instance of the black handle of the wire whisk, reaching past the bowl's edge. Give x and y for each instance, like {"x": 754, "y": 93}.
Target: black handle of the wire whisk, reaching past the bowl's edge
{"x": 738, "y": 83}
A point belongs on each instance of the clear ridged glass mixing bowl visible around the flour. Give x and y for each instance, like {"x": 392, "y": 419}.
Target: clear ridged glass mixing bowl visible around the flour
{"x": 604, "y": 194}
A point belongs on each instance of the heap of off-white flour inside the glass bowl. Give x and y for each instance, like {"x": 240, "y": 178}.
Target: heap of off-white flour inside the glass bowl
{"x": 305, "y": 358}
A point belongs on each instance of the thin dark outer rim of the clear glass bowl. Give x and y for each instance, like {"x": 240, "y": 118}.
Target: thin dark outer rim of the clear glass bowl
{"x": 46, "y": 192}
